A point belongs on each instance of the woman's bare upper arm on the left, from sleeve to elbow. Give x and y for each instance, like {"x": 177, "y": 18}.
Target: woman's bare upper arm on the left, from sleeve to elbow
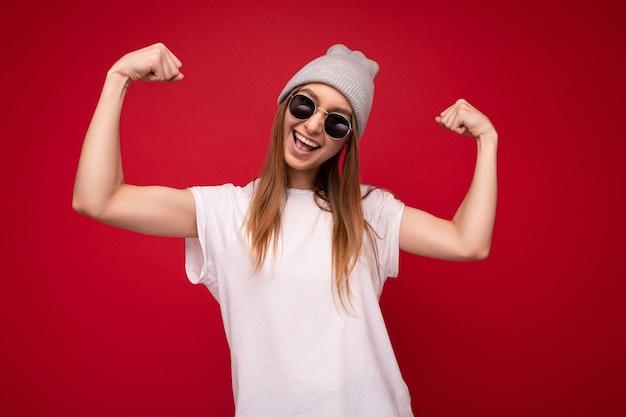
{"x": 153, "y": 210}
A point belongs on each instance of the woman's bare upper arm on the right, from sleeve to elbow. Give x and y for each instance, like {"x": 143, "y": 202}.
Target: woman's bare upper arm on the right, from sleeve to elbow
{"x": 423, "y": 234}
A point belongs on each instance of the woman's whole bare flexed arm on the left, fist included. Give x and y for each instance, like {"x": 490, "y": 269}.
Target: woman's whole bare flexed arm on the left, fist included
{"x": 99, "y": 188}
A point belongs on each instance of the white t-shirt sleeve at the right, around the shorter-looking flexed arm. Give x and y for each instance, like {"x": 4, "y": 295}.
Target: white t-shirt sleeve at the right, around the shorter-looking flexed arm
{"x": 383, "y": 212}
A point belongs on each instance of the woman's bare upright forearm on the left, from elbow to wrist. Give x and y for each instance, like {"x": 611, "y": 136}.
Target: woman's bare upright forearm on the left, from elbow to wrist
{"x": 99, "y": 174}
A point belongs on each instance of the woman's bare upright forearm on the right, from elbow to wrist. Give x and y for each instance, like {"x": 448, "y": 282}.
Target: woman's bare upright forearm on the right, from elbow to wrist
{"x": 475, "y": 217}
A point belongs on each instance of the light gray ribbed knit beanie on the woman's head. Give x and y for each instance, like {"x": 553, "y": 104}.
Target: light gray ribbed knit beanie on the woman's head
{"x": 349, "y": 72}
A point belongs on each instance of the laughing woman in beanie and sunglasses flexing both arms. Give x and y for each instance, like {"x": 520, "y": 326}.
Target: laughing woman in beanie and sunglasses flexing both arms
{"x": 296, "y": 258}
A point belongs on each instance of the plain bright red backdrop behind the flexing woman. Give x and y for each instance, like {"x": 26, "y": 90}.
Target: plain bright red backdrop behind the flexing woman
{"x": 98, "y": 321}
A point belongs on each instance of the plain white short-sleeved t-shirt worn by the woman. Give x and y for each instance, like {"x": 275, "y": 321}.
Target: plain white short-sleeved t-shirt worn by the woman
{"x": 295, "y": 351}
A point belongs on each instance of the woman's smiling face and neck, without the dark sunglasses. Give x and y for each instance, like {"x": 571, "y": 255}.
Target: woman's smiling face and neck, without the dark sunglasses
{"x": 306, "y": 144}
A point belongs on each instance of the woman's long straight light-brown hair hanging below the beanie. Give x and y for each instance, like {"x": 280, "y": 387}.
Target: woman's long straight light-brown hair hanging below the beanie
{"x": 336, "y": 190}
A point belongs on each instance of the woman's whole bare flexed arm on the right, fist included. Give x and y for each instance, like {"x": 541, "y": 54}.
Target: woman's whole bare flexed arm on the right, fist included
{"x": 468, "y": 235}
